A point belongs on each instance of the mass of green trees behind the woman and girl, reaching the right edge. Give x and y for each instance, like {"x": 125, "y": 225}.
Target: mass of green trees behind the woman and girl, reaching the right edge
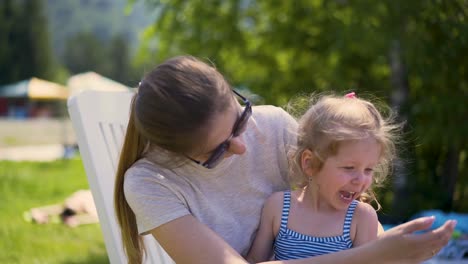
{"x": 413, "y": 52}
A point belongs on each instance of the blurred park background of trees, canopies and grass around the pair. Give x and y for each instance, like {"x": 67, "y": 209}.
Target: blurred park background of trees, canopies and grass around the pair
{"x": 413, "y": 55}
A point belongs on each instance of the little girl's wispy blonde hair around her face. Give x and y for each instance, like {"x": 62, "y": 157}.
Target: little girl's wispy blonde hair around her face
{"x": 333, "y": 119}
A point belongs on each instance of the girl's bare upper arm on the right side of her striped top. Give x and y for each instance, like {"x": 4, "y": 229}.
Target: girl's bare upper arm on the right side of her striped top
{"x": 366, "y": 224}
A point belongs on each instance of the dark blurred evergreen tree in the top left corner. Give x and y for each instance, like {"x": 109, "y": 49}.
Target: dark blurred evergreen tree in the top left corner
{"x": 24, "y": 46}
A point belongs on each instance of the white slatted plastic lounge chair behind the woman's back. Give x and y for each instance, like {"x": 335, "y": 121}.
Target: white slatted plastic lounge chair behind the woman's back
{"x": 99, "y": 120}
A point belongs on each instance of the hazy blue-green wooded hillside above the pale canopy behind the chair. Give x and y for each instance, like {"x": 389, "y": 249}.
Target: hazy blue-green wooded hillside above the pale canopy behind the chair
{"x": 97, "y": 35}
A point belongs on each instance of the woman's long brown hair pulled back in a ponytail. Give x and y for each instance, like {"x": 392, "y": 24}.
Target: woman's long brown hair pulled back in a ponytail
{"x": 170, "y": 112}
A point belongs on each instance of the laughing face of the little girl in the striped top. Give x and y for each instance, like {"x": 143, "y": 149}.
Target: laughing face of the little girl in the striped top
{"x": 344, "y": 176}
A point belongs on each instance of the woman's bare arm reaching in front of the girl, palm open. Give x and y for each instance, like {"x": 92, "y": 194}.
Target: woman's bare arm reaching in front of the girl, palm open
{"x": 187, "y": 240}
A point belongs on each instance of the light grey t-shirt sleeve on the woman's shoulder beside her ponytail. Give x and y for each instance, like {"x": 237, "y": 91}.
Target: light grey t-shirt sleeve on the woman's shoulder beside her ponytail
{"x": 152, "y": 198}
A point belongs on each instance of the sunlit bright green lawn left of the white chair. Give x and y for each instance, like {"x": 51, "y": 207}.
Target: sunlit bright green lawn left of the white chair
{"x": 24, "y": 185}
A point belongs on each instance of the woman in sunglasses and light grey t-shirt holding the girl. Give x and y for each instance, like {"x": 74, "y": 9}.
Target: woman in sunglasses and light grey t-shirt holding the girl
{"x": 196, "y": 168}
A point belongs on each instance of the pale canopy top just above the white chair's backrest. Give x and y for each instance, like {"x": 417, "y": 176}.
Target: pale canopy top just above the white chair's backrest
{"x": 93, "y": 81}
